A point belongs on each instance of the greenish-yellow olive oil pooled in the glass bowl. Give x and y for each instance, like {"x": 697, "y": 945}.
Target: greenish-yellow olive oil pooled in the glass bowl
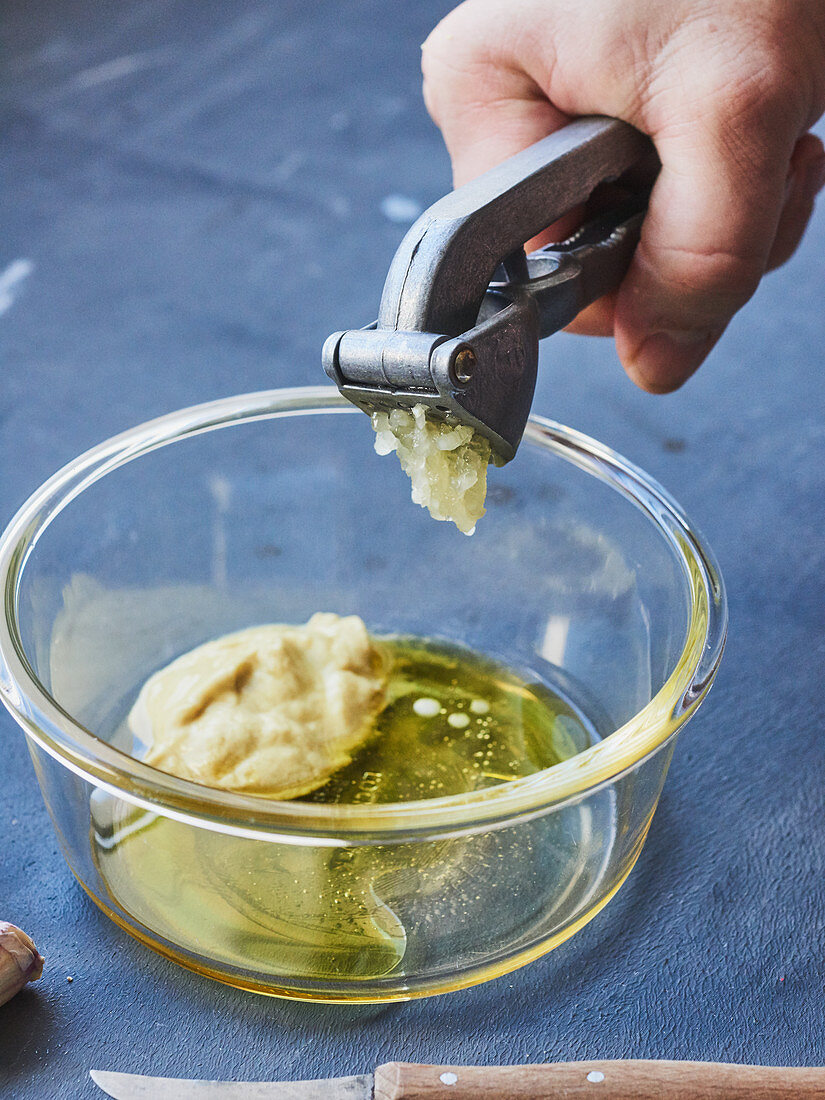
{"x": 455, "y": 723}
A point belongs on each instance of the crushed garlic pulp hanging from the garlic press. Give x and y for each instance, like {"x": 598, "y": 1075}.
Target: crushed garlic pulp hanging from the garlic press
{"x": 447, "y": 464}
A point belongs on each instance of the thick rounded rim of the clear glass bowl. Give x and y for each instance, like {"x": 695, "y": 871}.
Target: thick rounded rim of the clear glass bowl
{"x": 106, "y": 767}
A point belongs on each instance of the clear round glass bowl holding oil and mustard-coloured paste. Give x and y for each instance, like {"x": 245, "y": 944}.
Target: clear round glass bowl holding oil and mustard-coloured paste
{"x": 269, "y": 508}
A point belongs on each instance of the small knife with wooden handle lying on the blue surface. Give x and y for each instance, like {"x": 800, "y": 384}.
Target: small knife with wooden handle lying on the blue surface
{"x": 564, "y": 1081}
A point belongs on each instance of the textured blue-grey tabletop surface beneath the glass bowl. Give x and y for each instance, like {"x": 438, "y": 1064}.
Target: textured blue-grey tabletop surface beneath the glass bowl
{"x": 197, "y": 194}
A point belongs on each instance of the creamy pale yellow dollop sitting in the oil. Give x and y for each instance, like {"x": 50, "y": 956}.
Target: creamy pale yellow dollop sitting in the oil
{"x": 273, "y": 710}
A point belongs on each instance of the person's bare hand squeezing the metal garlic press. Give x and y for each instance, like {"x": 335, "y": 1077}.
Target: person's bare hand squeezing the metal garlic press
{"x": 727, "y": 90}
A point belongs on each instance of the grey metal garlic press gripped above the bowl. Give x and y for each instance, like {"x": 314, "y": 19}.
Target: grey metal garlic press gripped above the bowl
{"x": 464, "y": 309}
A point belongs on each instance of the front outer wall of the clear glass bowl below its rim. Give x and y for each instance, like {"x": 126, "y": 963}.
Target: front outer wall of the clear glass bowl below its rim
{"x": 376, "y": 922}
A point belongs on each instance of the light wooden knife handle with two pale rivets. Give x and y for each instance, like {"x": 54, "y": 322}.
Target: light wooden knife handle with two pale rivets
{"x": 599, "y": 1081}
